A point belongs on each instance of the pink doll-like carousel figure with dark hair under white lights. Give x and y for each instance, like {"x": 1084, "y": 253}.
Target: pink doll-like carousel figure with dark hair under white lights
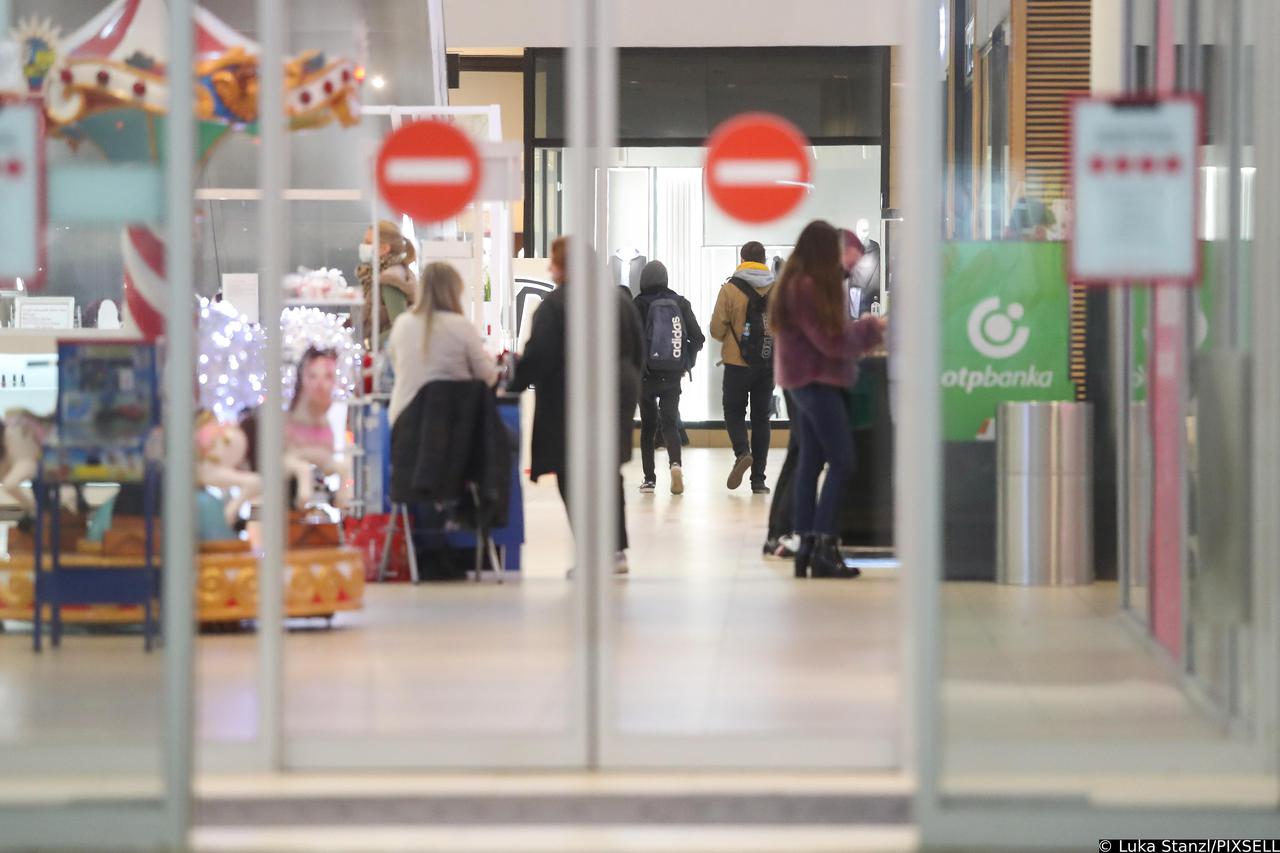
{"x": 309, "y": 441}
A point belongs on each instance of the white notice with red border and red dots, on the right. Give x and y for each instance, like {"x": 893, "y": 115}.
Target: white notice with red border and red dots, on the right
{"x": 1135, "y": 181}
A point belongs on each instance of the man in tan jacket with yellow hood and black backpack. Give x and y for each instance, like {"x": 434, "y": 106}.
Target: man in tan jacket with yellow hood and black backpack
{"x": 742, "y": 325}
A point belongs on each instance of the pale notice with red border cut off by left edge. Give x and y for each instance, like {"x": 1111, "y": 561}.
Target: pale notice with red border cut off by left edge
{"x": 21, "y": 194}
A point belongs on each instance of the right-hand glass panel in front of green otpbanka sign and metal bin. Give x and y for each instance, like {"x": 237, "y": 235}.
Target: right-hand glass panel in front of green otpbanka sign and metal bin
{"x": 1046, "y": 710}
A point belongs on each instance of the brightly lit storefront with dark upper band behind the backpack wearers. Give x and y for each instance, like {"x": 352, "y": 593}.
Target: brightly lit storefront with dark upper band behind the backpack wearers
{"x": 670, "y": 102}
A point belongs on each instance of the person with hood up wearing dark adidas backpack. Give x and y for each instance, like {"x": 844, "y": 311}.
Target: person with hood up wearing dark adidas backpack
{"x": 673, "y": 340}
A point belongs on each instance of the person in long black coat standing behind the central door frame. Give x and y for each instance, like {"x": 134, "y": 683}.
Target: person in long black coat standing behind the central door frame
{"x": 543, "y": 366}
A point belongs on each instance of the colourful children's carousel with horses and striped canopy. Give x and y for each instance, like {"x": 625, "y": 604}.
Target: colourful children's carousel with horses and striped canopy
{"x": 106, "y": 88}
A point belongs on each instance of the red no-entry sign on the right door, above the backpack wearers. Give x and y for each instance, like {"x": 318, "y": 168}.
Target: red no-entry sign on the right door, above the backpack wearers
{"x": 758, "y": 167}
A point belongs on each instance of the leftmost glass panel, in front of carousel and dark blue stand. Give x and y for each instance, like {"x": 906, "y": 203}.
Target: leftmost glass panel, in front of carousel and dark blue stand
{"x": 97, "y": 582}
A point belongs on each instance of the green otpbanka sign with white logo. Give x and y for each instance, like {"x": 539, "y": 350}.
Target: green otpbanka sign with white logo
{"x": 1007, "y": 329}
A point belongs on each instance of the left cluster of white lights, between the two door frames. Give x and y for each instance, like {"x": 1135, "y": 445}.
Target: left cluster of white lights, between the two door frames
{"x": 230, "y": 368}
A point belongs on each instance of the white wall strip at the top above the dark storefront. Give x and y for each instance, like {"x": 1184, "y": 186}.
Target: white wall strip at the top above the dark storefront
{"x": 679, "y": 24}
